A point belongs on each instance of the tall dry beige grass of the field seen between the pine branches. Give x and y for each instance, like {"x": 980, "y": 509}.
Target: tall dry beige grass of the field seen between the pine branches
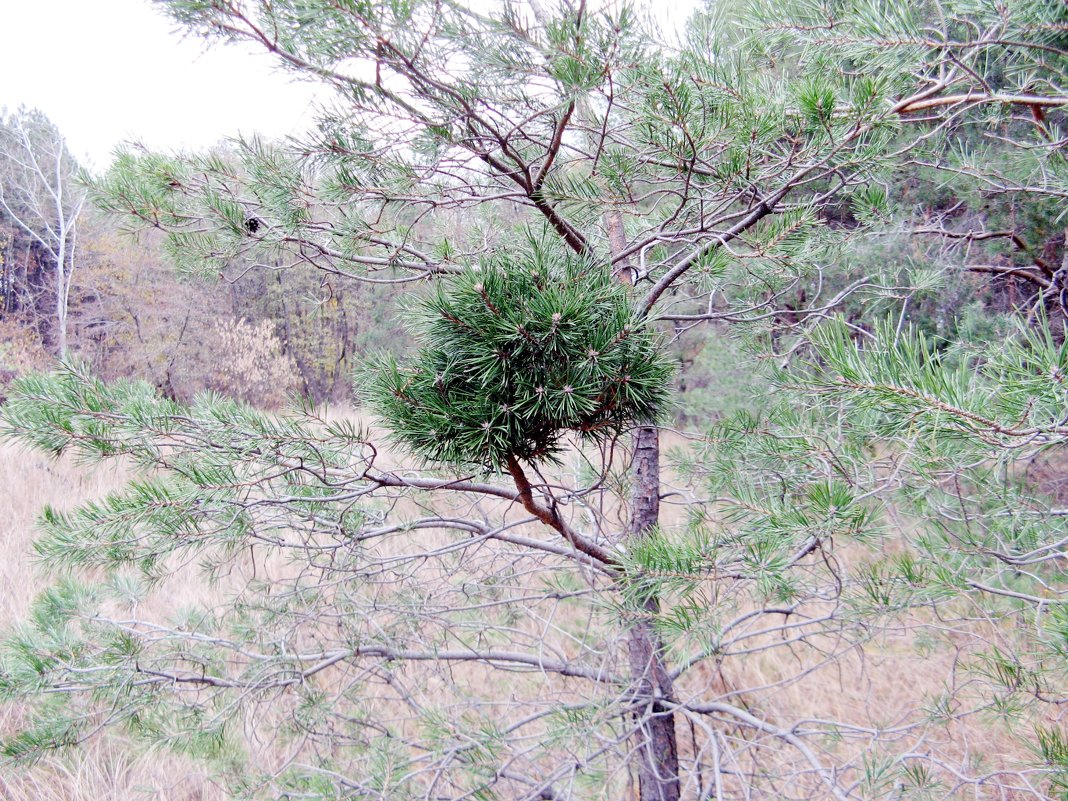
{"x": 875, "y": 686}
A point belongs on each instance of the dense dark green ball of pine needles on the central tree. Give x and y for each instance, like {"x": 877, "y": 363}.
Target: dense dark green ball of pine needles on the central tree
{"x": 515, "y": 355}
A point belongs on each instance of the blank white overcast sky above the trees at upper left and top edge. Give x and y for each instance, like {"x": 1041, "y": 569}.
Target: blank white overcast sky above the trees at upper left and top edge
{"x": 112, "y": 71}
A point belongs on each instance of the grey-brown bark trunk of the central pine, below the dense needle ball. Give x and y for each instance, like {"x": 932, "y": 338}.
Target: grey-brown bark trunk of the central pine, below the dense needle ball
{"x": 653, "y": 688}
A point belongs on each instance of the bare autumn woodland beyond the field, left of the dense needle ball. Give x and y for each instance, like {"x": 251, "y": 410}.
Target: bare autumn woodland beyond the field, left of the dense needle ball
{"x": 130, "y": 313}
